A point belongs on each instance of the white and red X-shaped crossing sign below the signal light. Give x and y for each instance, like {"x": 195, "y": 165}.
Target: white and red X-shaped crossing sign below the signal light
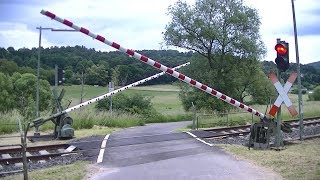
{"x": 283, "y": 94}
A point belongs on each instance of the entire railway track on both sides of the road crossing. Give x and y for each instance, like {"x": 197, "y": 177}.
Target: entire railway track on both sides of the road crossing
{"x": 11, "y": 158}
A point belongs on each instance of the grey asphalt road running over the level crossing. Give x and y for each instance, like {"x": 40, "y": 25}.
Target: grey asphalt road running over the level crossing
{"x": 156, "y": 151}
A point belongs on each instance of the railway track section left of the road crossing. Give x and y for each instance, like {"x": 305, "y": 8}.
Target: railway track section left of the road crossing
{"x": 11, "y": 158}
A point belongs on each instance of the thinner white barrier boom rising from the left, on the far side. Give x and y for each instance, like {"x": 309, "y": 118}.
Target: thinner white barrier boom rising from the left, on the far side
{"x": 41, "y": 121}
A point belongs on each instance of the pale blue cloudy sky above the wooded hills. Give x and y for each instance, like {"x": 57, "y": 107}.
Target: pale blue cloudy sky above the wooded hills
{"x": 139, "y": 24}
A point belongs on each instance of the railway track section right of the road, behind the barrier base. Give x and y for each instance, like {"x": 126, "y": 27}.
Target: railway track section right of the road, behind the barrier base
{"x": 245, "y": 129}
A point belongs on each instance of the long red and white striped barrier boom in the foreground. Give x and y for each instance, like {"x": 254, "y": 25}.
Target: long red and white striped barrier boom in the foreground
{"x": 157, "y": 65}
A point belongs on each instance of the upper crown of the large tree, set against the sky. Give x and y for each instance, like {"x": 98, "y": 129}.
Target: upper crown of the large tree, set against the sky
{"x": 223, "y": 27}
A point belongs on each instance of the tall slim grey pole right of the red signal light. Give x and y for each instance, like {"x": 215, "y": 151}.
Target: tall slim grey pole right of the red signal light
{"x": 298, "y": 71}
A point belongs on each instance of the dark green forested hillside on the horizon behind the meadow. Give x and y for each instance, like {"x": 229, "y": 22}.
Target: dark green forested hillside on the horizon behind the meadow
{"x": 101, "y": 67}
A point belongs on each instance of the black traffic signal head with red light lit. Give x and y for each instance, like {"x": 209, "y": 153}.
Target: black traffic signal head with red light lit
{"x": 282, "y": 60}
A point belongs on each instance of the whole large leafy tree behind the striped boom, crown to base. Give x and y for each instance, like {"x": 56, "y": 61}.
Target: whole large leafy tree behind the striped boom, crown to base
{"x": 225, "y": 34}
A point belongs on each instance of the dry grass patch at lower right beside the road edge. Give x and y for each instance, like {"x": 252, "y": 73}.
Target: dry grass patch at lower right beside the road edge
{"x": 299, "y": 160}
